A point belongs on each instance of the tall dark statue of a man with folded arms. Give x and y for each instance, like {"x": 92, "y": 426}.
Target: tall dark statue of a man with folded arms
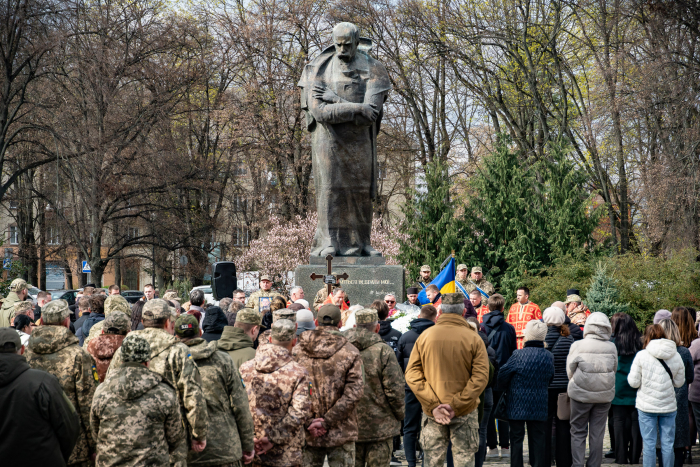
{"x": 343, "y": 91}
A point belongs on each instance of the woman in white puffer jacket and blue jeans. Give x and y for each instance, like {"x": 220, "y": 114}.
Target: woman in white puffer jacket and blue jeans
{"x": 656, "y": 398}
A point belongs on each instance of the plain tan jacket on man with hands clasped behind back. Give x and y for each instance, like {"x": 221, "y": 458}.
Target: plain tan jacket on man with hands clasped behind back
{"x": 448, "y": 365}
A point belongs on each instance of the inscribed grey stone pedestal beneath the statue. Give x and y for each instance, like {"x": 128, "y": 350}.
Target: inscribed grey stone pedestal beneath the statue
{"x": 366, "y": 282}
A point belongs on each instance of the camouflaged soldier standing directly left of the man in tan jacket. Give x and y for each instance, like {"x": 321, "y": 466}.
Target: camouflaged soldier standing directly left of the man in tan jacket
{"x": 381, "y": 409}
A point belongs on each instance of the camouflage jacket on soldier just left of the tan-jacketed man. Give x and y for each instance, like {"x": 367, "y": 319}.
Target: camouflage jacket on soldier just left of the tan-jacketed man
{"x": 381, "y": 408}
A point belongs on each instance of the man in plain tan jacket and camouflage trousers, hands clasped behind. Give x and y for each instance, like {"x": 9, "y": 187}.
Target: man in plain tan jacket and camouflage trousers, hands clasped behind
{"x": 447, "y": 372}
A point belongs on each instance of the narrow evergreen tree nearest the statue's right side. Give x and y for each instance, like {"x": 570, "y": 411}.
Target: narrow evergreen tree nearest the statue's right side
{"x": 430, "y": 227}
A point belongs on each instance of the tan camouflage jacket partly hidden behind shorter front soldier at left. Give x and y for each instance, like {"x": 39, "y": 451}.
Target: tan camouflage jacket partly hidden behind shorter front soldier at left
{"x": 171, "y": 359}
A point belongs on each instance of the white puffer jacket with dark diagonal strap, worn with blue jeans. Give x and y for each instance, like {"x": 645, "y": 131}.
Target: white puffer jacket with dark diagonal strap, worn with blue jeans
{"x": 656, "y": 394}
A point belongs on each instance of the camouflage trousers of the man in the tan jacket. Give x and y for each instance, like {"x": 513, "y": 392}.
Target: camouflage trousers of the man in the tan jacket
{"x": 462, "y": 431}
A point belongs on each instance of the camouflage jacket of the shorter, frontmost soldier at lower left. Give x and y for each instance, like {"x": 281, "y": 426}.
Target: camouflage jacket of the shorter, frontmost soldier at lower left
{"x": 135, "y": 418}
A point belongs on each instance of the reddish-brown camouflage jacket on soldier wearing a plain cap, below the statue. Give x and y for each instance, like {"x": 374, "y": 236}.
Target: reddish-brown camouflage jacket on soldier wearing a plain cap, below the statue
{"x": 335, "y": 369}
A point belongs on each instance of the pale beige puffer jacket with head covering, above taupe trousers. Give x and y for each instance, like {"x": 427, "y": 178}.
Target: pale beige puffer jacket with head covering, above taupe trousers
{"x": 592, "y": 363}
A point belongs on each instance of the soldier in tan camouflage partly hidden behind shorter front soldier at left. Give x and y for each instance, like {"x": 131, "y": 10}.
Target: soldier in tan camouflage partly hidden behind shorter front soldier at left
{"x": 172, "y": 360}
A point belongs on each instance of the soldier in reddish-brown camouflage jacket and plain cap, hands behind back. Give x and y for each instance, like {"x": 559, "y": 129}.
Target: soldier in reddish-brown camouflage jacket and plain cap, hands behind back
{"x": 335, "y": 368}
